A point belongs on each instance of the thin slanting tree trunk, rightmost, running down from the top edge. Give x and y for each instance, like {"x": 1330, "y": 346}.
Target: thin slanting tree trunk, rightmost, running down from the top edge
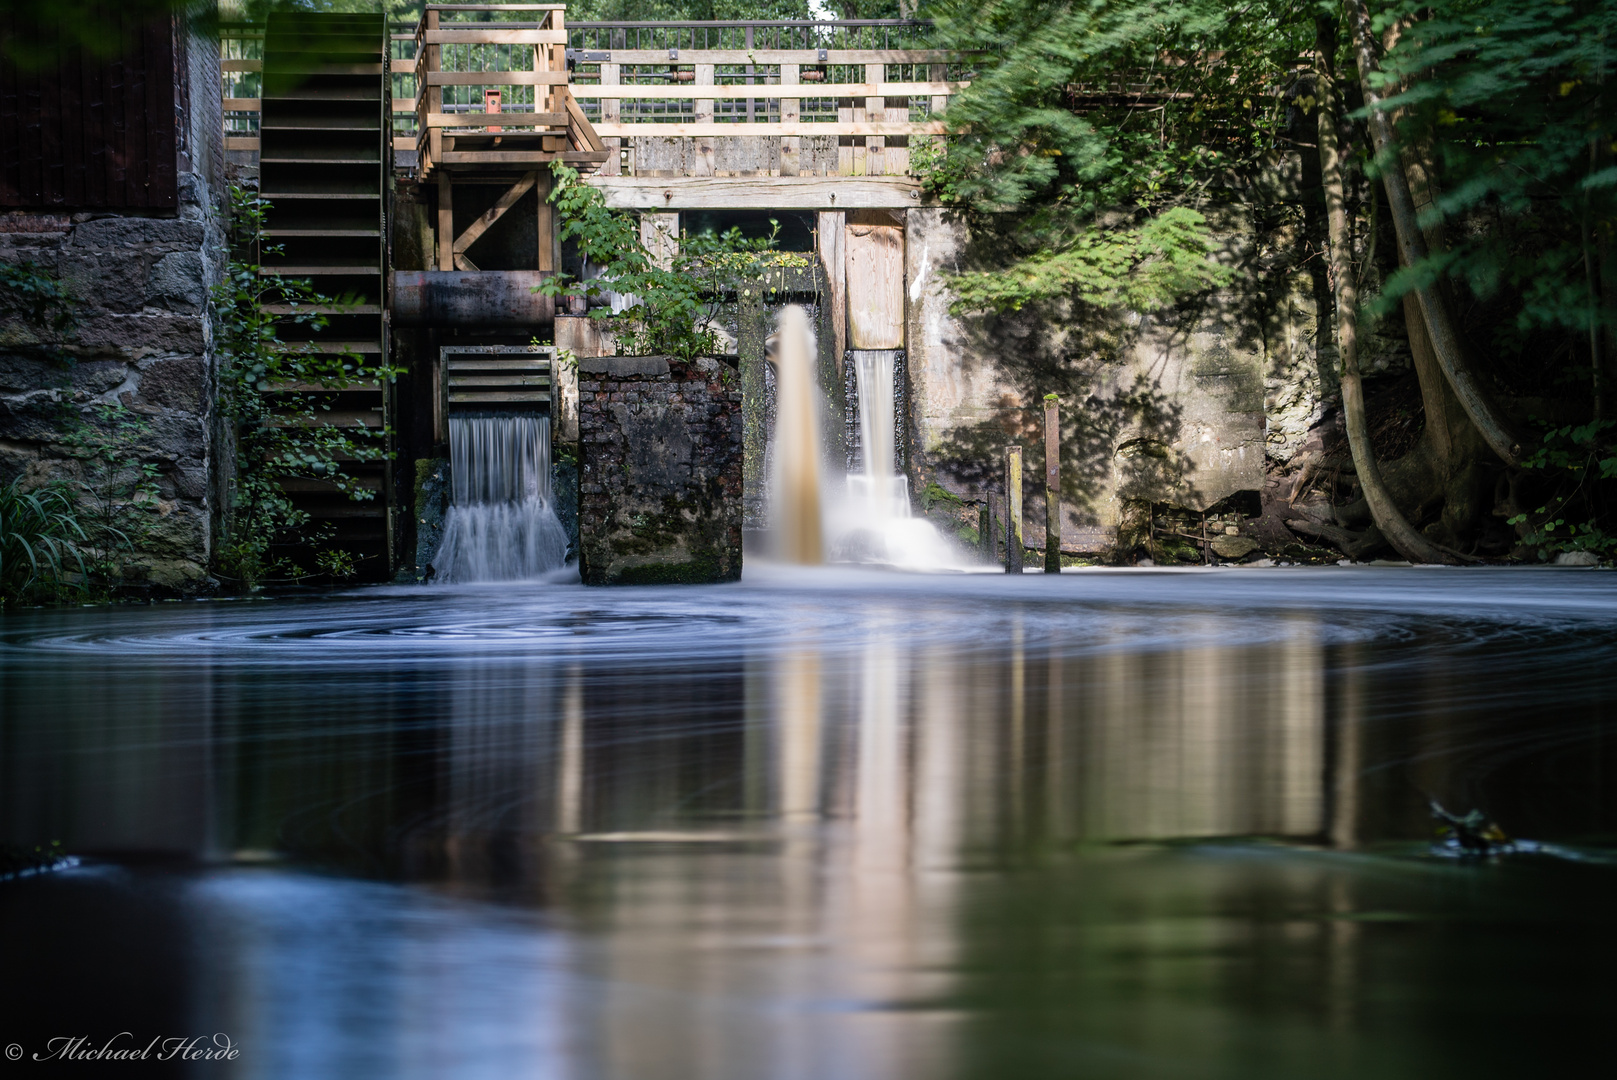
{"x": 1412, "y": 248}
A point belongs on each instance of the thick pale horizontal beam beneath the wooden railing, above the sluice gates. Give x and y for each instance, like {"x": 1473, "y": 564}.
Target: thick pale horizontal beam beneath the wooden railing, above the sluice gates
{"x": 756, "y": 193}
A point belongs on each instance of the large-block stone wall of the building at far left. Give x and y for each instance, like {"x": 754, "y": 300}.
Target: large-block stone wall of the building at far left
{"x": 141, "y": 344}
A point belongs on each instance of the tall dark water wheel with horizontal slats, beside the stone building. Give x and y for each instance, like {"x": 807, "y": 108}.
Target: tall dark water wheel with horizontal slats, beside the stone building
{"x": 324, "y": 167}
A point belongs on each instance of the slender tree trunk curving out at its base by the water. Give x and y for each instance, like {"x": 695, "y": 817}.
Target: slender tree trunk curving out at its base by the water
{"x": 1390, "y": 520}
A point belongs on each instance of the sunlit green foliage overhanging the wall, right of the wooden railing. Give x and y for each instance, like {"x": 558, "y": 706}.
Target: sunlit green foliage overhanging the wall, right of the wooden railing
{"x": 1094, "y": 133}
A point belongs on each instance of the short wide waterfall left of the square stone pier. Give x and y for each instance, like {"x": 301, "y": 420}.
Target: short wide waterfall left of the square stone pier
{"x": 500, "y": 525}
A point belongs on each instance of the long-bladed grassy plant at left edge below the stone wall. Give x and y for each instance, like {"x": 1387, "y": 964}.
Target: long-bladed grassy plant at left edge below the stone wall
{"x": 40, "y": 544}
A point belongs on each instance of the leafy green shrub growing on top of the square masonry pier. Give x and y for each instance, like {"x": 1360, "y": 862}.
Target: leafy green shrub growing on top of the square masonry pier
{"x": 675, "y": 310}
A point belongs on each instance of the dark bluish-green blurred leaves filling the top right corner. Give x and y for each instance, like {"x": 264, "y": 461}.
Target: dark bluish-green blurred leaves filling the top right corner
{"x": 1518, "y": 103}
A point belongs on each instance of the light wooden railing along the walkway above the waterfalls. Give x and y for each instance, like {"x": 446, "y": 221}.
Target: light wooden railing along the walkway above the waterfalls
{"x": 661, "y": 99}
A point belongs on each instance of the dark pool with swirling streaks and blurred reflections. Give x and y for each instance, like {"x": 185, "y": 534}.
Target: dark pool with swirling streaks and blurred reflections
{"x": 843, "y": 825}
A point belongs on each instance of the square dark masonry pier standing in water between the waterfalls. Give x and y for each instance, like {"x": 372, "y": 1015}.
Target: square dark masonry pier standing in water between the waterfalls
{"x": 661, "y": 486}
